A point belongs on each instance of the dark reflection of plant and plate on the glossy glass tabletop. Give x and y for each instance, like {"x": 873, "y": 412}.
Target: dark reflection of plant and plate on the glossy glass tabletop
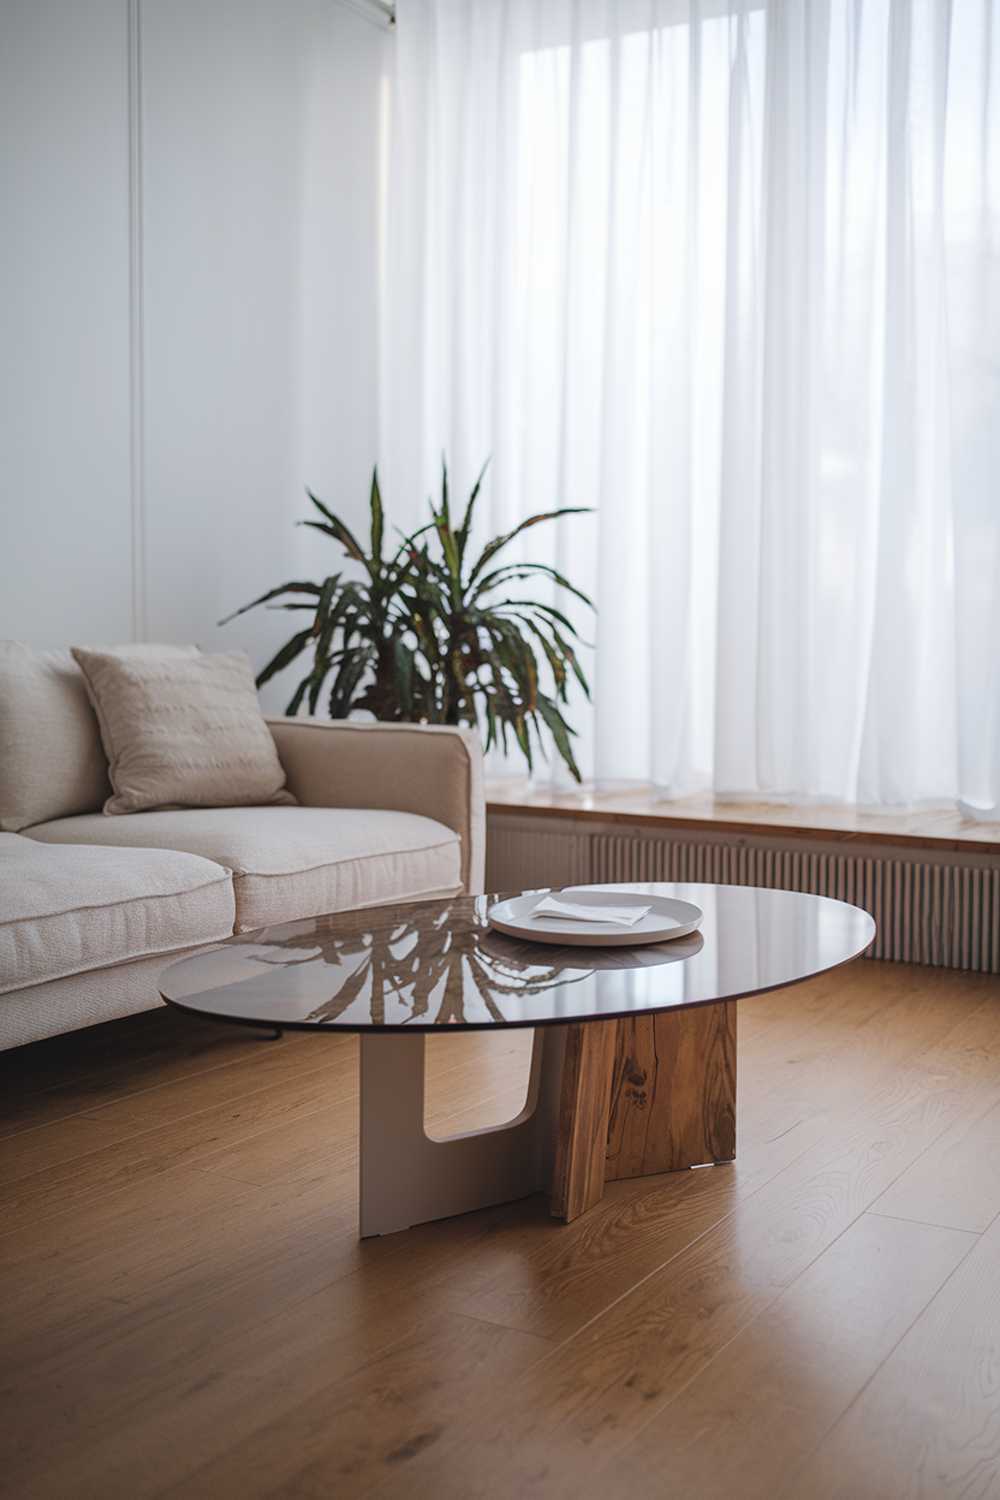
{"x": 437, "y": 955}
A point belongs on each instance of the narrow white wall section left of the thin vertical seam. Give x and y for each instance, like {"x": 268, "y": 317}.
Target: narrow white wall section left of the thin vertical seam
{"x": 65, "y": 505}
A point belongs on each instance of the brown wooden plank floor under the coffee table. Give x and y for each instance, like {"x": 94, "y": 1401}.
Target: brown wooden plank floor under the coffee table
{"x": 187, "y": 1310}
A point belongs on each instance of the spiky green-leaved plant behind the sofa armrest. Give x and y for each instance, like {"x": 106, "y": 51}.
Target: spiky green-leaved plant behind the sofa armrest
{"x": 428, "y": 632}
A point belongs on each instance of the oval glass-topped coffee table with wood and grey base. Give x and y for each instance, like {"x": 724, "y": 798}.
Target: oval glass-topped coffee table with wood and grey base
{"x": 635, "y": 1055}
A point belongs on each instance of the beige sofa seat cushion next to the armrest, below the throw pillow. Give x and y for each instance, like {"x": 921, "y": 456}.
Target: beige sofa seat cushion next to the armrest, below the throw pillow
{"x": 293, "y": 862}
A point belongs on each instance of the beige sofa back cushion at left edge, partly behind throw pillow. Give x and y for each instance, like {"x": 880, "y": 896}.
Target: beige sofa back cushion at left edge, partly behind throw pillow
{"x": 52, "y": 761}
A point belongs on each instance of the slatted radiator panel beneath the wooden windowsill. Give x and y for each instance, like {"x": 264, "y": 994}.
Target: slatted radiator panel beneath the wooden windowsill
{"x": 942, "y": 911}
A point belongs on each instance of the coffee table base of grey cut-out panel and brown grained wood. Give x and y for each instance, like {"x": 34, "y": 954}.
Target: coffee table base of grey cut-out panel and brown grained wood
{"x": 606, "y": 1100}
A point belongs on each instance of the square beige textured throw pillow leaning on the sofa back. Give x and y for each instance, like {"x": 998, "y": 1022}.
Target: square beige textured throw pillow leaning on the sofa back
{"x": 182, "y": 733}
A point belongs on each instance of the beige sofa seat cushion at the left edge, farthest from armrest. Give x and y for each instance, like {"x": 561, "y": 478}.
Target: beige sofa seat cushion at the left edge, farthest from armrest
{"x": 71, "y": 910}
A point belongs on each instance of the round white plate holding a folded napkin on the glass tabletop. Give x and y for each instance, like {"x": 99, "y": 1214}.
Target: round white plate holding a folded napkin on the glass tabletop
{"x": 668, "y": 919}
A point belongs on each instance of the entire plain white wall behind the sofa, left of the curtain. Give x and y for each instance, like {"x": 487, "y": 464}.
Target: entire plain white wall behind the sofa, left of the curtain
{"x": 254, "y": 194}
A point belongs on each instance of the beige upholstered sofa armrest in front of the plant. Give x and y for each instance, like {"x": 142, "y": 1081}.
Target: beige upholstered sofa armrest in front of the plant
{"x": 434, "y": 770}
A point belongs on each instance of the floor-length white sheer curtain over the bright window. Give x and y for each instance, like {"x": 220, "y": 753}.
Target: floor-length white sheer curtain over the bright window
{"x": 731, "y": 277}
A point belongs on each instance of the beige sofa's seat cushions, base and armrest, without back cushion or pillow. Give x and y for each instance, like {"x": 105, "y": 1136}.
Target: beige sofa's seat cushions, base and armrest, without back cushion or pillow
{"x": 92, "y": 908}
